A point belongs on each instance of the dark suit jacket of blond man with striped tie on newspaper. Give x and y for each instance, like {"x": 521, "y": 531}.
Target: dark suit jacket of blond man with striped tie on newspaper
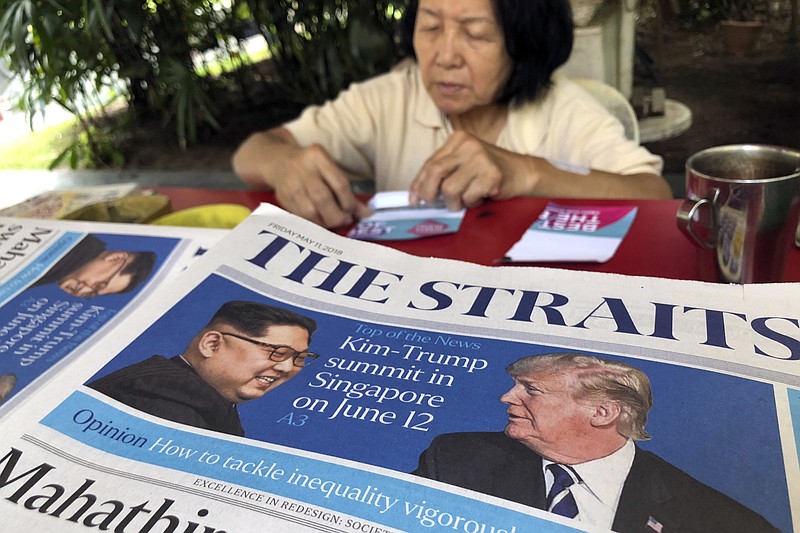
{"x": 495, "y": 464}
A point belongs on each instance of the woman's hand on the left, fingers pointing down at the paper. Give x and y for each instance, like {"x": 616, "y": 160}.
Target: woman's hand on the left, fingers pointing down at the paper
{"x": 307, "y": 181}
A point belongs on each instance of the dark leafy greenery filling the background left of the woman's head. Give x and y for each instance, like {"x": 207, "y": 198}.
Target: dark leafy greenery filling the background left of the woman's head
{"x": 184, "y": 63}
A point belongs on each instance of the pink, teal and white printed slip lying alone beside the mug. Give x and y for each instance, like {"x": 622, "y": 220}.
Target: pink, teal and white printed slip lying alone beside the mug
{"x": 574, "y": 233}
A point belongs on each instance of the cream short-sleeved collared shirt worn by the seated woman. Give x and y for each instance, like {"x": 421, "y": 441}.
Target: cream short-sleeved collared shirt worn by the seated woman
{"x": 388, "y": 126}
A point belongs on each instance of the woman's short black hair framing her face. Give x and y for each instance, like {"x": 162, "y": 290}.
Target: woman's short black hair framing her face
{"x": 538, "y": 35}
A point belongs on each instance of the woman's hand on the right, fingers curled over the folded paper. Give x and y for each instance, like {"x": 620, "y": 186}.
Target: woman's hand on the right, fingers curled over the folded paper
{"x": 466, "y": 171}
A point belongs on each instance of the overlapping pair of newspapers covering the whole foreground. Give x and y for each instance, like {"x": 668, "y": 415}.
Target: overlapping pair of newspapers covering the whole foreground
{"x": 292, "y": 379}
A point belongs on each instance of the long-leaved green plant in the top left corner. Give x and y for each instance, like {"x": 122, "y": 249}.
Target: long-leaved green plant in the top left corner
{"x": 82, "y": 53}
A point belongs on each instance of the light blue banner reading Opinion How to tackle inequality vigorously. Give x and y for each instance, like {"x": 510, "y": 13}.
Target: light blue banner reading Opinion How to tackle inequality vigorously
{"x": 371, "y": 496}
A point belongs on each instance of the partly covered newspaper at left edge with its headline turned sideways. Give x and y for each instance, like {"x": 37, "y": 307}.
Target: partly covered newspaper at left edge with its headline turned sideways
{"x": 47, "y": 310}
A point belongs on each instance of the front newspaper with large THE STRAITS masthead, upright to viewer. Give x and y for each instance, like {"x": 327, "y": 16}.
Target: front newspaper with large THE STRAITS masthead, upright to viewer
{"x": 411, "y": 350}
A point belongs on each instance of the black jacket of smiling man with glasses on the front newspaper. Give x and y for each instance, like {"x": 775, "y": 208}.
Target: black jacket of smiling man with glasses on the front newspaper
{"x": 171, "y": 389}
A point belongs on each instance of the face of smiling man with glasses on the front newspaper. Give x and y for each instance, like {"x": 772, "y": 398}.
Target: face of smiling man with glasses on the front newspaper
{"x": 240, "y": 370}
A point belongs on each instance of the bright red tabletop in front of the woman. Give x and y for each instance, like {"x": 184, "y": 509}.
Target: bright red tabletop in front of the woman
{"x": 653, "y": 247}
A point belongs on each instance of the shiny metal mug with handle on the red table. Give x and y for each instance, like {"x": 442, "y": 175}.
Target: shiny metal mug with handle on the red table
{"x": 743, "y": 203}
